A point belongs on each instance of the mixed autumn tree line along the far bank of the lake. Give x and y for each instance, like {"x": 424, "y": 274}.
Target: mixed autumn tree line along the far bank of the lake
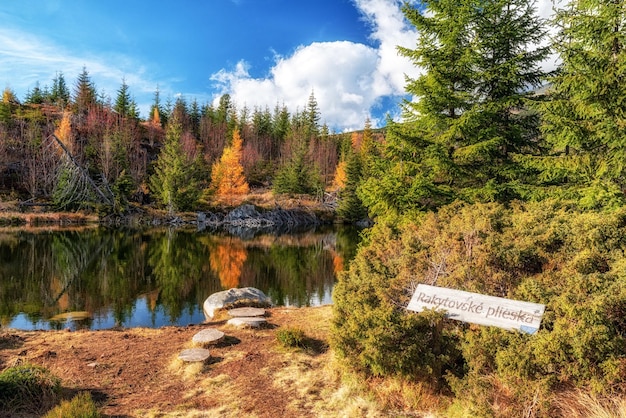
{"x": 80, "y": 149}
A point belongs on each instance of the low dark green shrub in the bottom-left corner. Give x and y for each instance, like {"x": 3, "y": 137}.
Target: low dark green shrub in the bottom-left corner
{"x": 28, "y": 389}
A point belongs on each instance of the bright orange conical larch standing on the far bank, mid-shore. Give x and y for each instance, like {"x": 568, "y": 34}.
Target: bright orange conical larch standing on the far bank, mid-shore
{"x": 227, "y": 178}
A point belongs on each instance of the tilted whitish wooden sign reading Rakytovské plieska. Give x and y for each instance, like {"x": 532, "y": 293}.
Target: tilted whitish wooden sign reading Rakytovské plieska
{"x": 479, "y": 309}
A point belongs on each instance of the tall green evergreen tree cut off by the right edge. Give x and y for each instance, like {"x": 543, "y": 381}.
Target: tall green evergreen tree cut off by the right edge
{"x": 584, "y": 120}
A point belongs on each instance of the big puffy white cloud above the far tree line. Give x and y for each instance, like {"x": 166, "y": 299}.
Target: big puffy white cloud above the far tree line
{"x": 348, "y": 79}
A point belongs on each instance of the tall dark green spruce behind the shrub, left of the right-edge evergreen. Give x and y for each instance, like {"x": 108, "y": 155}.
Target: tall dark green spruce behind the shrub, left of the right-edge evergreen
{"x": 464, "y": 127}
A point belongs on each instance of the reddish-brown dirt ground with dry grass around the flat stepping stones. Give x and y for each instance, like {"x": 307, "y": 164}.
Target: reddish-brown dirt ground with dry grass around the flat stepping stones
{"x": 137, "y": 373}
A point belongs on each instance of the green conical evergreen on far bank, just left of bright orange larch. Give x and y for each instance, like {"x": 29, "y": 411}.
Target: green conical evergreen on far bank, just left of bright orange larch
{"x": 176, "y": 180}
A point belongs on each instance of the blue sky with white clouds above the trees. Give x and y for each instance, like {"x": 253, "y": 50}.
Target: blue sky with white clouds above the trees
{"x": 261, "y": 52}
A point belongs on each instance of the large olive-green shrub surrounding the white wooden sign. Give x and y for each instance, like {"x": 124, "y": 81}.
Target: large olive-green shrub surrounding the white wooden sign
{"x": 573, "y": 262}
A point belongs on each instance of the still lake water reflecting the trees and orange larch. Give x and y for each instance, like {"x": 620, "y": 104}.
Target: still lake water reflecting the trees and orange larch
{"x": 99, "y": 278}
